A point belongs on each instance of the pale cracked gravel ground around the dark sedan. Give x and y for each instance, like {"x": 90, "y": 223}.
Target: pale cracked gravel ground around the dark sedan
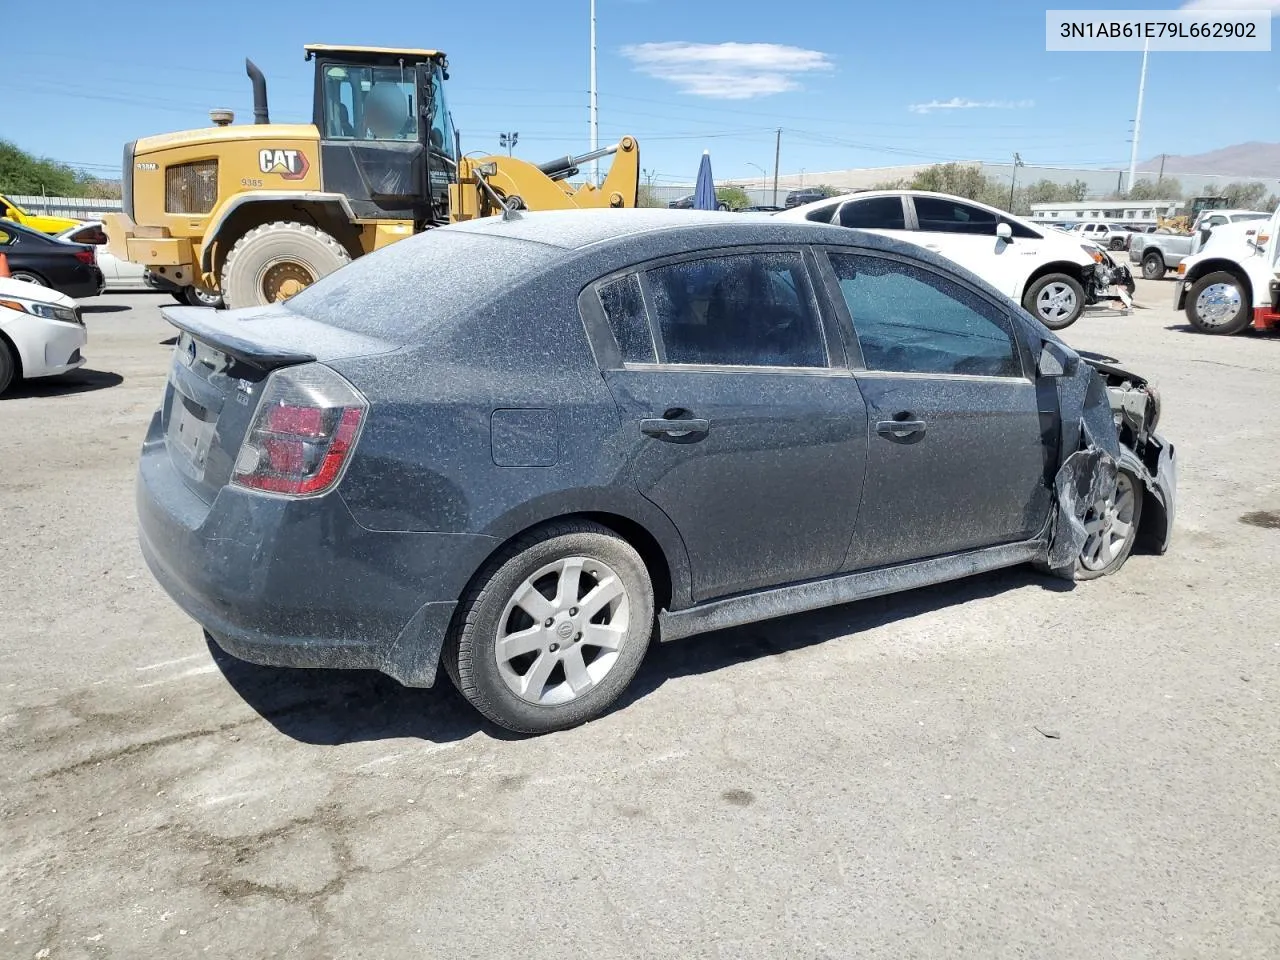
{"x": 999, "y": 767}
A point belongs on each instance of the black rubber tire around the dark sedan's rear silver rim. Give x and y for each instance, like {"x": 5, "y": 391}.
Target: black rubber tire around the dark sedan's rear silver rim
{"x": 470, "y": 651}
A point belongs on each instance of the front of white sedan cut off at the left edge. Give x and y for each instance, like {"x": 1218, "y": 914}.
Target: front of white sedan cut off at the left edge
{"x": 42, "y": 332}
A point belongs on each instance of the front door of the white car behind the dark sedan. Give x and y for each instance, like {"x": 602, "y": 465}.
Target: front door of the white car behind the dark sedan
{"x": 967, "y": 235}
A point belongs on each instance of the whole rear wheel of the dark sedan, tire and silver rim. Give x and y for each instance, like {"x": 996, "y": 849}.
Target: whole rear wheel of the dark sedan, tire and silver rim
{"x": 554, "y": 630}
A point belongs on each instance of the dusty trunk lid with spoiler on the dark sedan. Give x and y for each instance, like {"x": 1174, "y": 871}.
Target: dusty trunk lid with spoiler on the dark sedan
{"x": 221, "y": 364}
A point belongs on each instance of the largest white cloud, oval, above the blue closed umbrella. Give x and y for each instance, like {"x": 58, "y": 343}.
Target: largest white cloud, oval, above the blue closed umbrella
{"x": 728, "y": 71}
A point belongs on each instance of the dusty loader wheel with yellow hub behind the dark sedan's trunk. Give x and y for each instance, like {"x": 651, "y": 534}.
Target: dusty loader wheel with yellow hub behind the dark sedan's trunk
{"x": 277, "y": 260}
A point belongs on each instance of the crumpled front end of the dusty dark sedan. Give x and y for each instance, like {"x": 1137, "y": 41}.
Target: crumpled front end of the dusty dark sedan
{"x": 1109, "y": 419}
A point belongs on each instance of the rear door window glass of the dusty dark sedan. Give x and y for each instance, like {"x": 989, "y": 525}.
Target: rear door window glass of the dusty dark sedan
{"x": 742, "y": 310}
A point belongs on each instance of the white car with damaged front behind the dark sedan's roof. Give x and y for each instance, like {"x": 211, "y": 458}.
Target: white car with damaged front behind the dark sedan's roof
{"x": 1054, "y": 276}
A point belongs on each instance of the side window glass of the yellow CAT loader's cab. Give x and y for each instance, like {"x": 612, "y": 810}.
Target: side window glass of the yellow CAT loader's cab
{"x": 369, "y": 103}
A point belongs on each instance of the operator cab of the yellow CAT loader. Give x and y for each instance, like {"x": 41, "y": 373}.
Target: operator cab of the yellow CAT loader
{"x": 386, "y": 134}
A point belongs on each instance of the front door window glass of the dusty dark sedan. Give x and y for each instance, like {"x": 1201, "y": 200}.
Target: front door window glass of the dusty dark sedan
{"x": 916, "y": 322}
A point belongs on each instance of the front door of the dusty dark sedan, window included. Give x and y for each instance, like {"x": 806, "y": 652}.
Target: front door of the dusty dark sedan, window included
{"x": 957, "y": 455}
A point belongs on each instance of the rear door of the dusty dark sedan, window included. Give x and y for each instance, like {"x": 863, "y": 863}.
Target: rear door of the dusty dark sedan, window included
{"x": 739, "y": 417}
